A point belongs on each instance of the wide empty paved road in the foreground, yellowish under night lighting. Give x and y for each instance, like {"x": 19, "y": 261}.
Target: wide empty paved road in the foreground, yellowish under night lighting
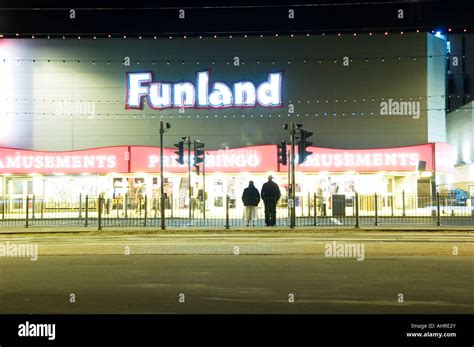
{"x": 260, "y": 279}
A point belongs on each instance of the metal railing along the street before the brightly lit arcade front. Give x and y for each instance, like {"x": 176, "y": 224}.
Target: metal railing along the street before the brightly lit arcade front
{"x": 311, "y": 210}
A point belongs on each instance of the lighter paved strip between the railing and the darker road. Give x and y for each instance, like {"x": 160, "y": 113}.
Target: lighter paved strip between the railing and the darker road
{"x": 245, "y": 242}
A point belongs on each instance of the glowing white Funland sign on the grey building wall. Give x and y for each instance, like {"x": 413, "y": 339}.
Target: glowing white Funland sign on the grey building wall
{"x": 162, "y": 95}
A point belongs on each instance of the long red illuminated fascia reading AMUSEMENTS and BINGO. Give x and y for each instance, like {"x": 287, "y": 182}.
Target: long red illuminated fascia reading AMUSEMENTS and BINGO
{"x": 130, "y": 159}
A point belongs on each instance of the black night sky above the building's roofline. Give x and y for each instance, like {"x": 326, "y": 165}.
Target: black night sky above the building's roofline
{"x": 148, "y": 18}
